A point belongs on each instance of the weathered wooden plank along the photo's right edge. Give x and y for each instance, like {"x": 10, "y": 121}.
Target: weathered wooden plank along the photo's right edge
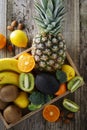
{"x": 83, "y": 63}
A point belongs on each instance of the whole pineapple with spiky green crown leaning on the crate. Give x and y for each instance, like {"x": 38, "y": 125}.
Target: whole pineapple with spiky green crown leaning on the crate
{"x": 49, "y": 45}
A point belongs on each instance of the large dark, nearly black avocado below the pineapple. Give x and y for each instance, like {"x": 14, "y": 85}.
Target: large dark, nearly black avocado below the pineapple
{"x": 46, "y": 83}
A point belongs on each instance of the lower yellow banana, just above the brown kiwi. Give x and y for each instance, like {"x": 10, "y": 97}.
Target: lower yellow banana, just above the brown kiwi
{"x": 8, "y": 77}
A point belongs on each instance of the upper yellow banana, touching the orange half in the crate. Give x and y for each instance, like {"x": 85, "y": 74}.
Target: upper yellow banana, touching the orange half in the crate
{"x": 10, "y": 64}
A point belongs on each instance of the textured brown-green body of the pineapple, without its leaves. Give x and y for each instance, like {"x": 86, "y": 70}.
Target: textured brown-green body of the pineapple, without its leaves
{"x": 49, "y": 52}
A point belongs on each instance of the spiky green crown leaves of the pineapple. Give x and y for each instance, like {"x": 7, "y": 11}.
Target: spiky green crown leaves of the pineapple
{"x": 50, "y": 15}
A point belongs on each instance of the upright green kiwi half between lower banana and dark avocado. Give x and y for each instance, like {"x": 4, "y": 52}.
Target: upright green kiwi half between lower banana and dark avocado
{"x": 26, "y": 82}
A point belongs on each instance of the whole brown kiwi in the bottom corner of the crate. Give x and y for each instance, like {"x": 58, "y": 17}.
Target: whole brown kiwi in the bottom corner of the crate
{"x": 12, "y": 114}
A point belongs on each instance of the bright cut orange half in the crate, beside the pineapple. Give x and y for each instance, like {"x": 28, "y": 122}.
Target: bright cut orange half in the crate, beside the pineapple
{"x": 26, "y": 62}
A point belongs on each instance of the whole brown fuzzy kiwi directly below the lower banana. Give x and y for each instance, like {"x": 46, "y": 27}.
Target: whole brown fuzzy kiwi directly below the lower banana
{"x": 8, "y": 93}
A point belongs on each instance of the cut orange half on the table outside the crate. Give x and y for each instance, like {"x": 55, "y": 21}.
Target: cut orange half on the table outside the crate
{"x": 51, "y": 113}
